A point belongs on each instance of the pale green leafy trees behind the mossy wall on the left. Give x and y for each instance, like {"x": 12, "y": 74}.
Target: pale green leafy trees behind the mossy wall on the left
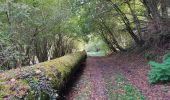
{"x": 32, "y": 29}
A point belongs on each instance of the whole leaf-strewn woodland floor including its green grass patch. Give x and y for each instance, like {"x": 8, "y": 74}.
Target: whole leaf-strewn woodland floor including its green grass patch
{"x": 118, "y": 77}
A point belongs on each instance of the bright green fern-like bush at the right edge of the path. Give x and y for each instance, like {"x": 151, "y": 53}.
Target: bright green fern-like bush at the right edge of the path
{"x": 160, "y": 72}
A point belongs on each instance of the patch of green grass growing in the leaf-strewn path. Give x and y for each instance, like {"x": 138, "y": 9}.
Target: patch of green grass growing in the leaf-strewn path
{"x": 122, "y": 89}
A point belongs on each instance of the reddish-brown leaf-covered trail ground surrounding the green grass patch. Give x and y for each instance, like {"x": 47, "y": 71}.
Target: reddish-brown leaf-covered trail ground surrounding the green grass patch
{"x": 91, "y": 83}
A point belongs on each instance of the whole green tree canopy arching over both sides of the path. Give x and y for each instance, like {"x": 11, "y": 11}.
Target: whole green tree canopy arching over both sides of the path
{"x": 38, "y": 30}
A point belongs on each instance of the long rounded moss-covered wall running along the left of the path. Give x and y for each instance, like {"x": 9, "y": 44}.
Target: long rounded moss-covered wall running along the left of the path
{"x": 41, "y": 81}
